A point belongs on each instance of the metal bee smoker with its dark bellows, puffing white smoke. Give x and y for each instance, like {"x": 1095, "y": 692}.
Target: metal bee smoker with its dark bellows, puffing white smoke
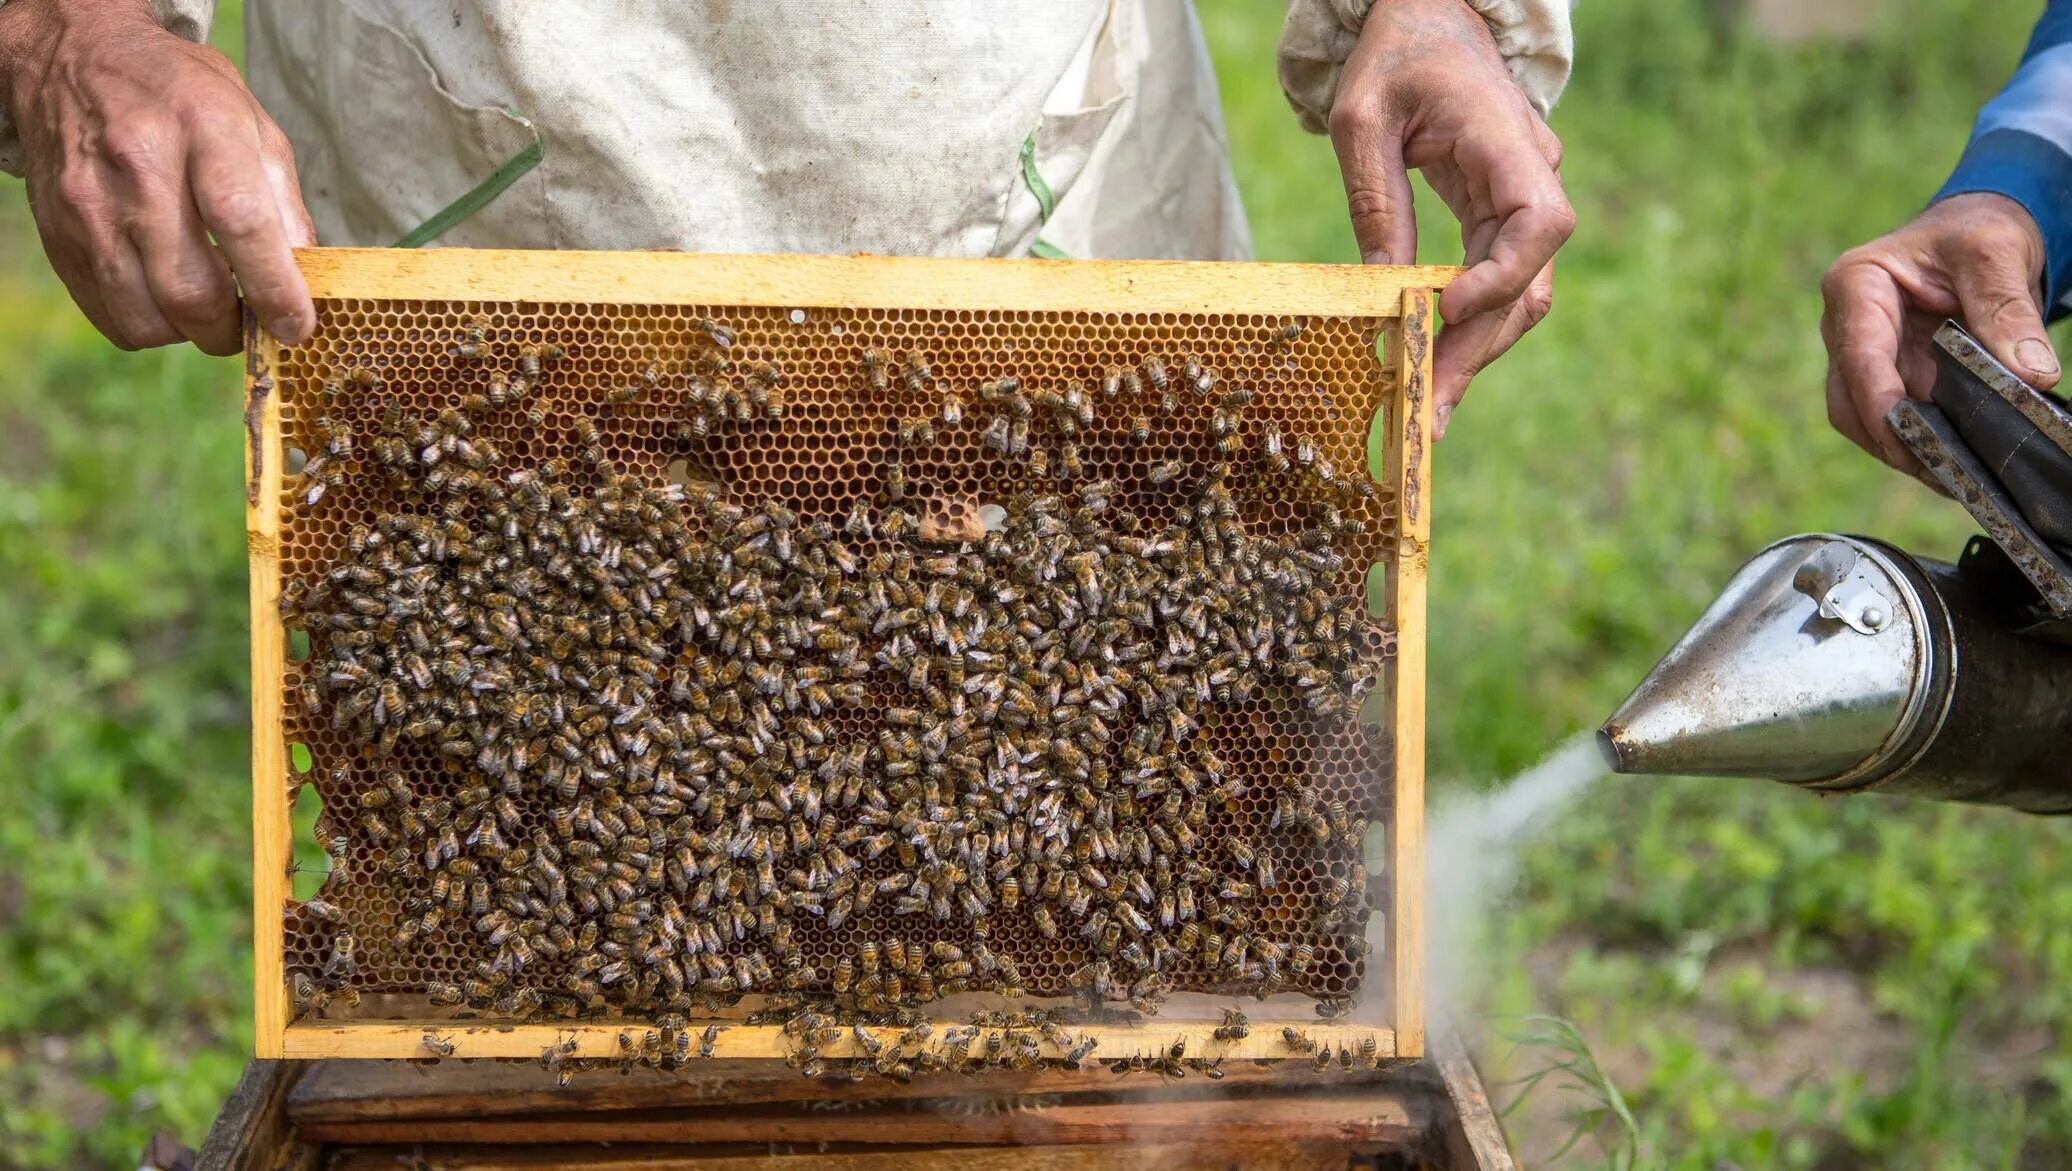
{"x": 1845, "y": 664}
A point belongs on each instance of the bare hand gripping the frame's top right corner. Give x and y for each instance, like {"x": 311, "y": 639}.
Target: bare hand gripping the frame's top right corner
{"x": 1427, "y": 90}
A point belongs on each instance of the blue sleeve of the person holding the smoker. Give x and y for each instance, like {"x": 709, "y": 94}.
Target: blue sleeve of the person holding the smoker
{"x": 2021, "y": 148}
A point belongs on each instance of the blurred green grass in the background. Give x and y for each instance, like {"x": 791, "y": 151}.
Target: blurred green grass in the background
{"x": 1766, "y": 979}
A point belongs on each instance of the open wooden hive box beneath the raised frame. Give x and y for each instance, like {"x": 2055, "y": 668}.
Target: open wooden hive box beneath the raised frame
{"x": 293, "y": 1116}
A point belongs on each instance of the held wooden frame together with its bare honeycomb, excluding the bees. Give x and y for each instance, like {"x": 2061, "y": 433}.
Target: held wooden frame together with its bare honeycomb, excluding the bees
{"x": 1333, "y": 353}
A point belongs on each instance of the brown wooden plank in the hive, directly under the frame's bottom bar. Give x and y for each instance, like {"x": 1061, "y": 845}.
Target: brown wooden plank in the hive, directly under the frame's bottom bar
{"x": 397, "y": 1091}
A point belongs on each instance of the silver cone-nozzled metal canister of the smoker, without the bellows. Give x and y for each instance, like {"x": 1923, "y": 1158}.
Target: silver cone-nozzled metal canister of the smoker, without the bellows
{"x": 1845, "y": 664}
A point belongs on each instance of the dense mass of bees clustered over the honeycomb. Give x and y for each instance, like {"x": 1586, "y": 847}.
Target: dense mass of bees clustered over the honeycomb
{"x": 674, "y": 733}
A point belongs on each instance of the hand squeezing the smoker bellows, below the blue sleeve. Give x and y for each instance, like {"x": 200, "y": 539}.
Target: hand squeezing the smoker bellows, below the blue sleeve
{"x": 1976, "y": 258}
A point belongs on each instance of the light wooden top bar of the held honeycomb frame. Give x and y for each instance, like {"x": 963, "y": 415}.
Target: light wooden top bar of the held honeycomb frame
{"x": 865, "y": 283}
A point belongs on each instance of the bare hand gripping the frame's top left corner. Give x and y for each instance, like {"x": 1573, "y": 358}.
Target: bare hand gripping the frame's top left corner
{"x": 154, "y": 177}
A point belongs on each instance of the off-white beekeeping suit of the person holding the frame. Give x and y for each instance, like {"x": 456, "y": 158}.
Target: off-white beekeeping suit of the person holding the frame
{"x": 788, "y": 125}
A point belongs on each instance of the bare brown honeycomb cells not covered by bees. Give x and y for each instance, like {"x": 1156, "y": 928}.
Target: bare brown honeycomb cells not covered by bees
{"x": 832, "y": 449}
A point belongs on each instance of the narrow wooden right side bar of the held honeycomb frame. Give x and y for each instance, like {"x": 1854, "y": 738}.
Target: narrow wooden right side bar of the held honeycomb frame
{"x": 1408, "y": 691}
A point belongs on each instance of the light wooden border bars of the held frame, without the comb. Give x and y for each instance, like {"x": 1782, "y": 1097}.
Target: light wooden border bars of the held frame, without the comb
{"x": 1406, "y": 295}
